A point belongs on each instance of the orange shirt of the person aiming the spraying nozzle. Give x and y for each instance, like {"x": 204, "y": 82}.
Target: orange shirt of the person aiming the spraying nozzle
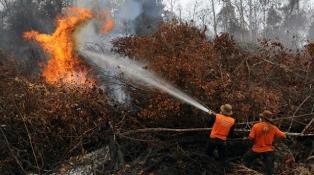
{"x": 222, "y": 127}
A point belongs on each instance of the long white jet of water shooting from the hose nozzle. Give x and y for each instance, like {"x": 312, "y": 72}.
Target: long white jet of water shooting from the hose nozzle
{"x": 135, "y": 71}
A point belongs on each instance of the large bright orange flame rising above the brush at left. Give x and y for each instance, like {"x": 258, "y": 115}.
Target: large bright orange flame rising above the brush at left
{"x": 64, "y": 65}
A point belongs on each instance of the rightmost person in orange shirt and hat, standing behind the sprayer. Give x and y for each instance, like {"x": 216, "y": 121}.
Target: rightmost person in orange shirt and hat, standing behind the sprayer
{"x": 263, "y": 134}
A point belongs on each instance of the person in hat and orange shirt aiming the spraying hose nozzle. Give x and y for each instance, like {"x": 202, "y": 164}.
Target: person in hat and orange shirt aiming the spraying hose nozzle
{"x": 223, "y": 124}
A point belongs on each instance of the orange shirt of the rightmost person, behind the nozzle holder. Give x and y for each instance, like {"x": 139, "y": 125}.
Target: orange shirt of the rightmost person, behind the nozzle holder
{"x": 263, "y": 135}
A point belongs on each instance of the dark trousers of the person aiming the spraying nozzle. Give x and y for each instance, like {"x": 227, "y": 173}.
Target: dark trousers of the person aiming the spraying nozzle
{"x": 220, "y": 145}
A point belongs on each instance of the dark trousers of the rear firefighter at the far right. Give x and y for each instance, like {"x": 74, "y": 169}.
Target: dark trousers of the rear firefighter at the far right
{"x": 267, "y": 157}
